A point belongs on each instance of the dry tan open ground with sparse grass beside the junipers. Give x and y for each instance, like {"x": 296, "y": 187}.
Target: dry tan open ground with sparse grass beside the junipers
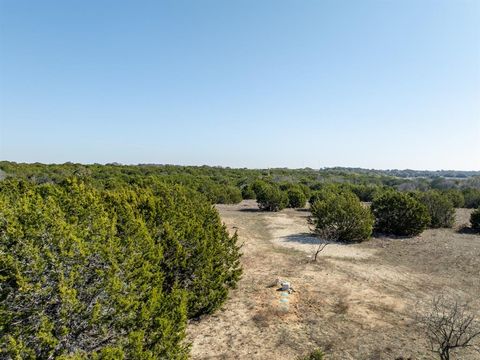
{"x": 357, "y": 302}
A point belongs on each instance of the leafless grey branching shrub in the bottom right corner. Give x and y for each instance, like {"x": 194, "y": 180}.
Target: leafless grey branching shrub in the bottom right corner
{"x": 450, "y": 326}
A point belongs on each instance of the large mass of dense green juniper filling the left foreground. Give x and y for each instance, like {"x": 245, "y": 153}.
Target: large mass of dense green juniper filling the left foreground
{"x": 108, "y": 274}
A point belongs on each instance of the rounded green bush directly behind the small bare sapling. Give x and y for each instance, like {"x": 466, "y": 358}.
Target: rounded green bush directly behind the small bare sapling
{"x": 342, "y": 217}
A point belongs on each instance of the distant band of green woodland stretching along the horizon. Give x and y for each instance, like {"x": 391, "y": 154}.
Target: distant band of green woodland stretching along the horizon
{"x": 229, "y": 185}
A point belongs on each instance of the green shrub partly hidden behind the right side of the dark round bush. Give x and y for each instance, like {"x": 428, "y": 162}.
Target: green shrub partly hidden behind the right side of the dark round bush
{"x": 440, "y": 208}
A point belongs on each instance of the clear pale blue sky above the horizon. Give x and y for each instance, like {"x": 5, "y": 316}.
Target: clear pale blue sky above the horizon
{"x": 375, "y": 84}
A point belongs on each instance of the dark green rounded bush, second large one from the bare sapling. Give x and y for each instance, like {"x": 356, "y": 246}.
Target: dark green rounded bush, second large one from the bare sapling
{"x": 399, "y": 214}
